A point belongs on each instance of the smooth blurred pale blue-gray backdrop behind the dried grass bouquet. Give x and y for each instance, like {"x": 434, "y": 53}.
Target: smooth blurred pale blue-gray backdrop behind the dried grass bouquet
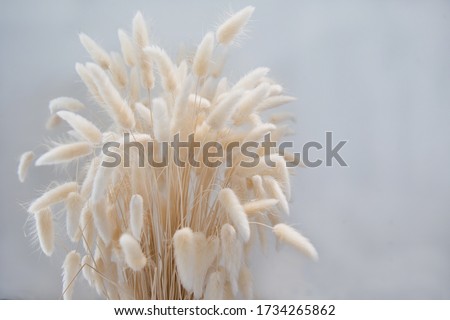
{"x": 376, "y": 73}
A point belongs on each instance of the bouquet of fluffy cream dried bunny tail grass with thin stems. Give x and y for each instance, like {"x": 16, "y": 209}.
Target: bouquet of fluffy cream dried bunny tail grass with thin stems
{"x": 141, "y": 231}
